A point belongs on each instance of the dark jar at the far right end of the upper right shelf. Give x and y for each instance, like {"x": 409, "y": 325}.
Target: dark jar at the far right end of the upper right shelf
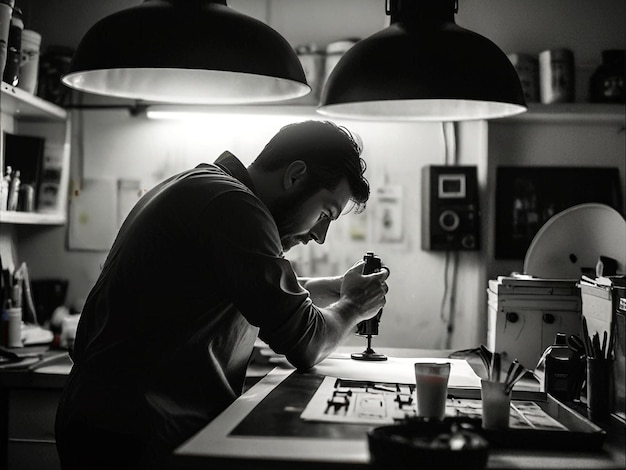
{"x": 606, "y": 84}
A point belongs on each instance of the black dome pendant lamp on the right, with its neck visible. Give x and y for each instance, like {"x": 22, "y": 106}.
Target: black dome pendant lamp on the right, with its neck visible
{"x": 423, "y": 67}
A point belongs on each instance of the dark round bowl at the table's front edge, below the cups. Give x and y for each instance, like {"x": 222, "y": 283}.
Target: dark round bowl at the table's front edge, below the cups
{"x": 453, "y": 443}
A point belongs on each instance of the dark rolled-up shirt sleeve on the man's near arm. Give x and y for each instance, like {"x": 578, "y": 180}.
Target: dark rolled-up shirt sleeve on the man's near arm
{"x": 244, "y": 245}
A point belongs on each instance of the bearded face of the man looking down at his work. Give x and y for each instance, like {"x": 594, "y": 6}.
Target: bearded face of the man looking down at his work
{"x": 306, "y": 216}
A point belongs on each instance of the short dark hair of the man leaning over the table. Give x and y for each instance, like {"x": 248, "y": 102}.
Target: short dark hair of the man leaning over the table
{"x": 331, "y": 153}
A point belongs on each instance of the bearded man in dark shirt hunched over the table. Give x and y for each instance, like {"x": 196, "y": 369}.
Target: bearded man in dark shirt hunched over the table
{"x": 195, "y": 273}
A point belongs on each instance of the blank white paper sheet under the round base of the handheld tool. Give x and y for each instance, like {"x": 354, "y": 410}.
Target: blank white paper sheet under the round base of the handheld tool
{"x": 394, "y": 369}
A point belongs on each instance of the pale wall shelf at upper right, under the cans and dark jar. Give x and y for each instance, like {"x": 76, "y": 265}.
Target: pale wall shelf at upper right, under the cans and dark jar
{"x": 588, "y": 113}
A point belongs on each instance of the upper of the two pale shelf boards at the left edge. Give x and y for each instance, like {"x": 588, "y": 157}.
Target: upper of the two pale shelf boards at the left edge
{"x": 24, "y": 106}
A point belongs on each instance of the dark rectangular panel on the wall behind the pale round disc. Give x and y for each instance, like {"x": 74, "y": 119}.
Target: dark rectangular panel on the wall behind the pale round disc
{"x": 526, "y": 197}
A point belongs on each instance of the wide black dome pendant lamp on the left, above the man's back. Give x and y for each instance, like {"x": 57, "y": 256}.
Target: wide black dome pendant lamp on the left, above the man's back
{"x": 186, "y": 51}
